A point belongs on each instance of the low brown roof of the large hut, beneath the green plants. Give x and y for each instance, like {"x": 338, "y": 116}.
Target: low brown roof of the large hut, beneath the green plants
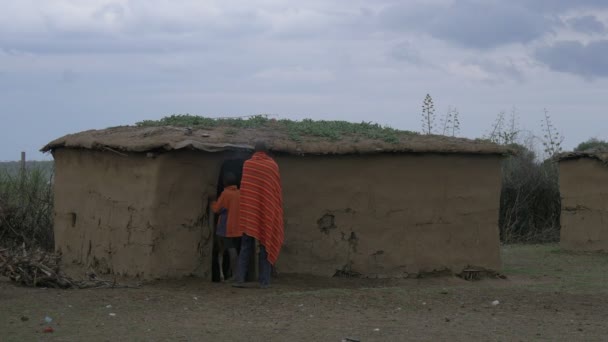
{"x": 144, "y": 139}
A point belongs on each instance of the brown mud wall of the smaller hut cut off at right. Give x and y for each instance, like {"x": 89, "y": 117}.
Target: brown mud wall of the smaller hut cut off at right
{"x": 583, "y": 183}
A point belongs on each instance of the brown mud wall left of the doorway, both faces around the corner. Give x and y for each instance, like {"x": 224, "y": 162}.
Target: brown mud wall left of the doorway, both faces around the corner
{"x": 134, "y": 215}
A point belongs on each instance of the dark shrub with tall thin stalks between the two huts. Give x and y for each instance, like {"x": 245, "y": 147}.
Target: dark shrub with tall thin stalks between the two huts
{"x": 530, "y": 203}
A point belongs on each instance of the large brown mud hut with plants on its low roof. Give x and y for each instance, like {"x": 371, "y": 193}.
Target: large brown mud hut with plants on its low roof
{"x": 133, "y": 200}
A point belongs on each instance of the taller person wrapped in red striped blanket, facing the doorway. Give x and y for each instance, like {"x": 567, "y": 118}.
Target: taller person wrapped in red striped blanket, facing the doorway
{"x": 260, "y": 214}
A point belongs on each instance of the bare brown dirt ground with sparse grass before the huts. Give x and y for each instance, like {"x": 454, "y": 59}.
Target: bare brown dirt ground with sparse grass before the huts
{"x": 548, "y": 295}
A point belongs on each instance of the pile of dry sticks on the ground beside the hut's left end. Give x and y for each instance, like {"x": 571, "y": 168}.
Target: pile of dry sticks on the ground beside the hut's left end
{"x": 39, "y": 268}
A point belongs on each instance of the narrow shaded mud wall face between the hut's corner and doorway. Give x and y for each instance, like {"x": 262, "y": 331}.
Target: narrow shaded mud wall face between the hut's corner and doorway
{"x": 186, "y": 180}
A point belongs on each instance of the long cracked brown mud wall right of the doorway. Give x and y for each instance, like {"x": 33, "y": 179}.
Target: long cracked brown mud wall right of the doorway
{"x": 390, "y": 215}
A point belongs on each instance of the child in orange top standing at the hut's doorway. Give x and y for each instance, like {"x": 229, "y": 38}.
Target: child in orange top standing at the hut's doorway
{"x": 228, "y": 231}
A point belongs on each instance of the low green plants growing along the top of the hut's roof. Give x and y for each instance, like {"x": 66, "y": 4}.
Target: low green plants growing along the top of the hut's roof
{"x": 331, "y": 130}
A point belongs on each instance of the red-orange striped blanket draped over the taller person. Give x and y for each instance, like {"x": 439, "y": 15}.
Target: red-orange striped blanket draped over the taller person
{"x": 261, "y": 207}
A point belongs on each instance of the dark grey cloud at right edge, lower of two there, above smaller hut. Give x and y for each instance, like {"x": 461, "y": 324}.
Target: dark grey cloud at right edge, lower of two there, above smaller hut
{"x": 573, "y": 57}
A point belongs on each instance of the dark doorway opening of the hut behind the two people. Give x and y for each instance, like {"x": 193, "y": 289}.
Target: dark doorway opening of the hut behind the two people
{"x": 234, "y": 166}
